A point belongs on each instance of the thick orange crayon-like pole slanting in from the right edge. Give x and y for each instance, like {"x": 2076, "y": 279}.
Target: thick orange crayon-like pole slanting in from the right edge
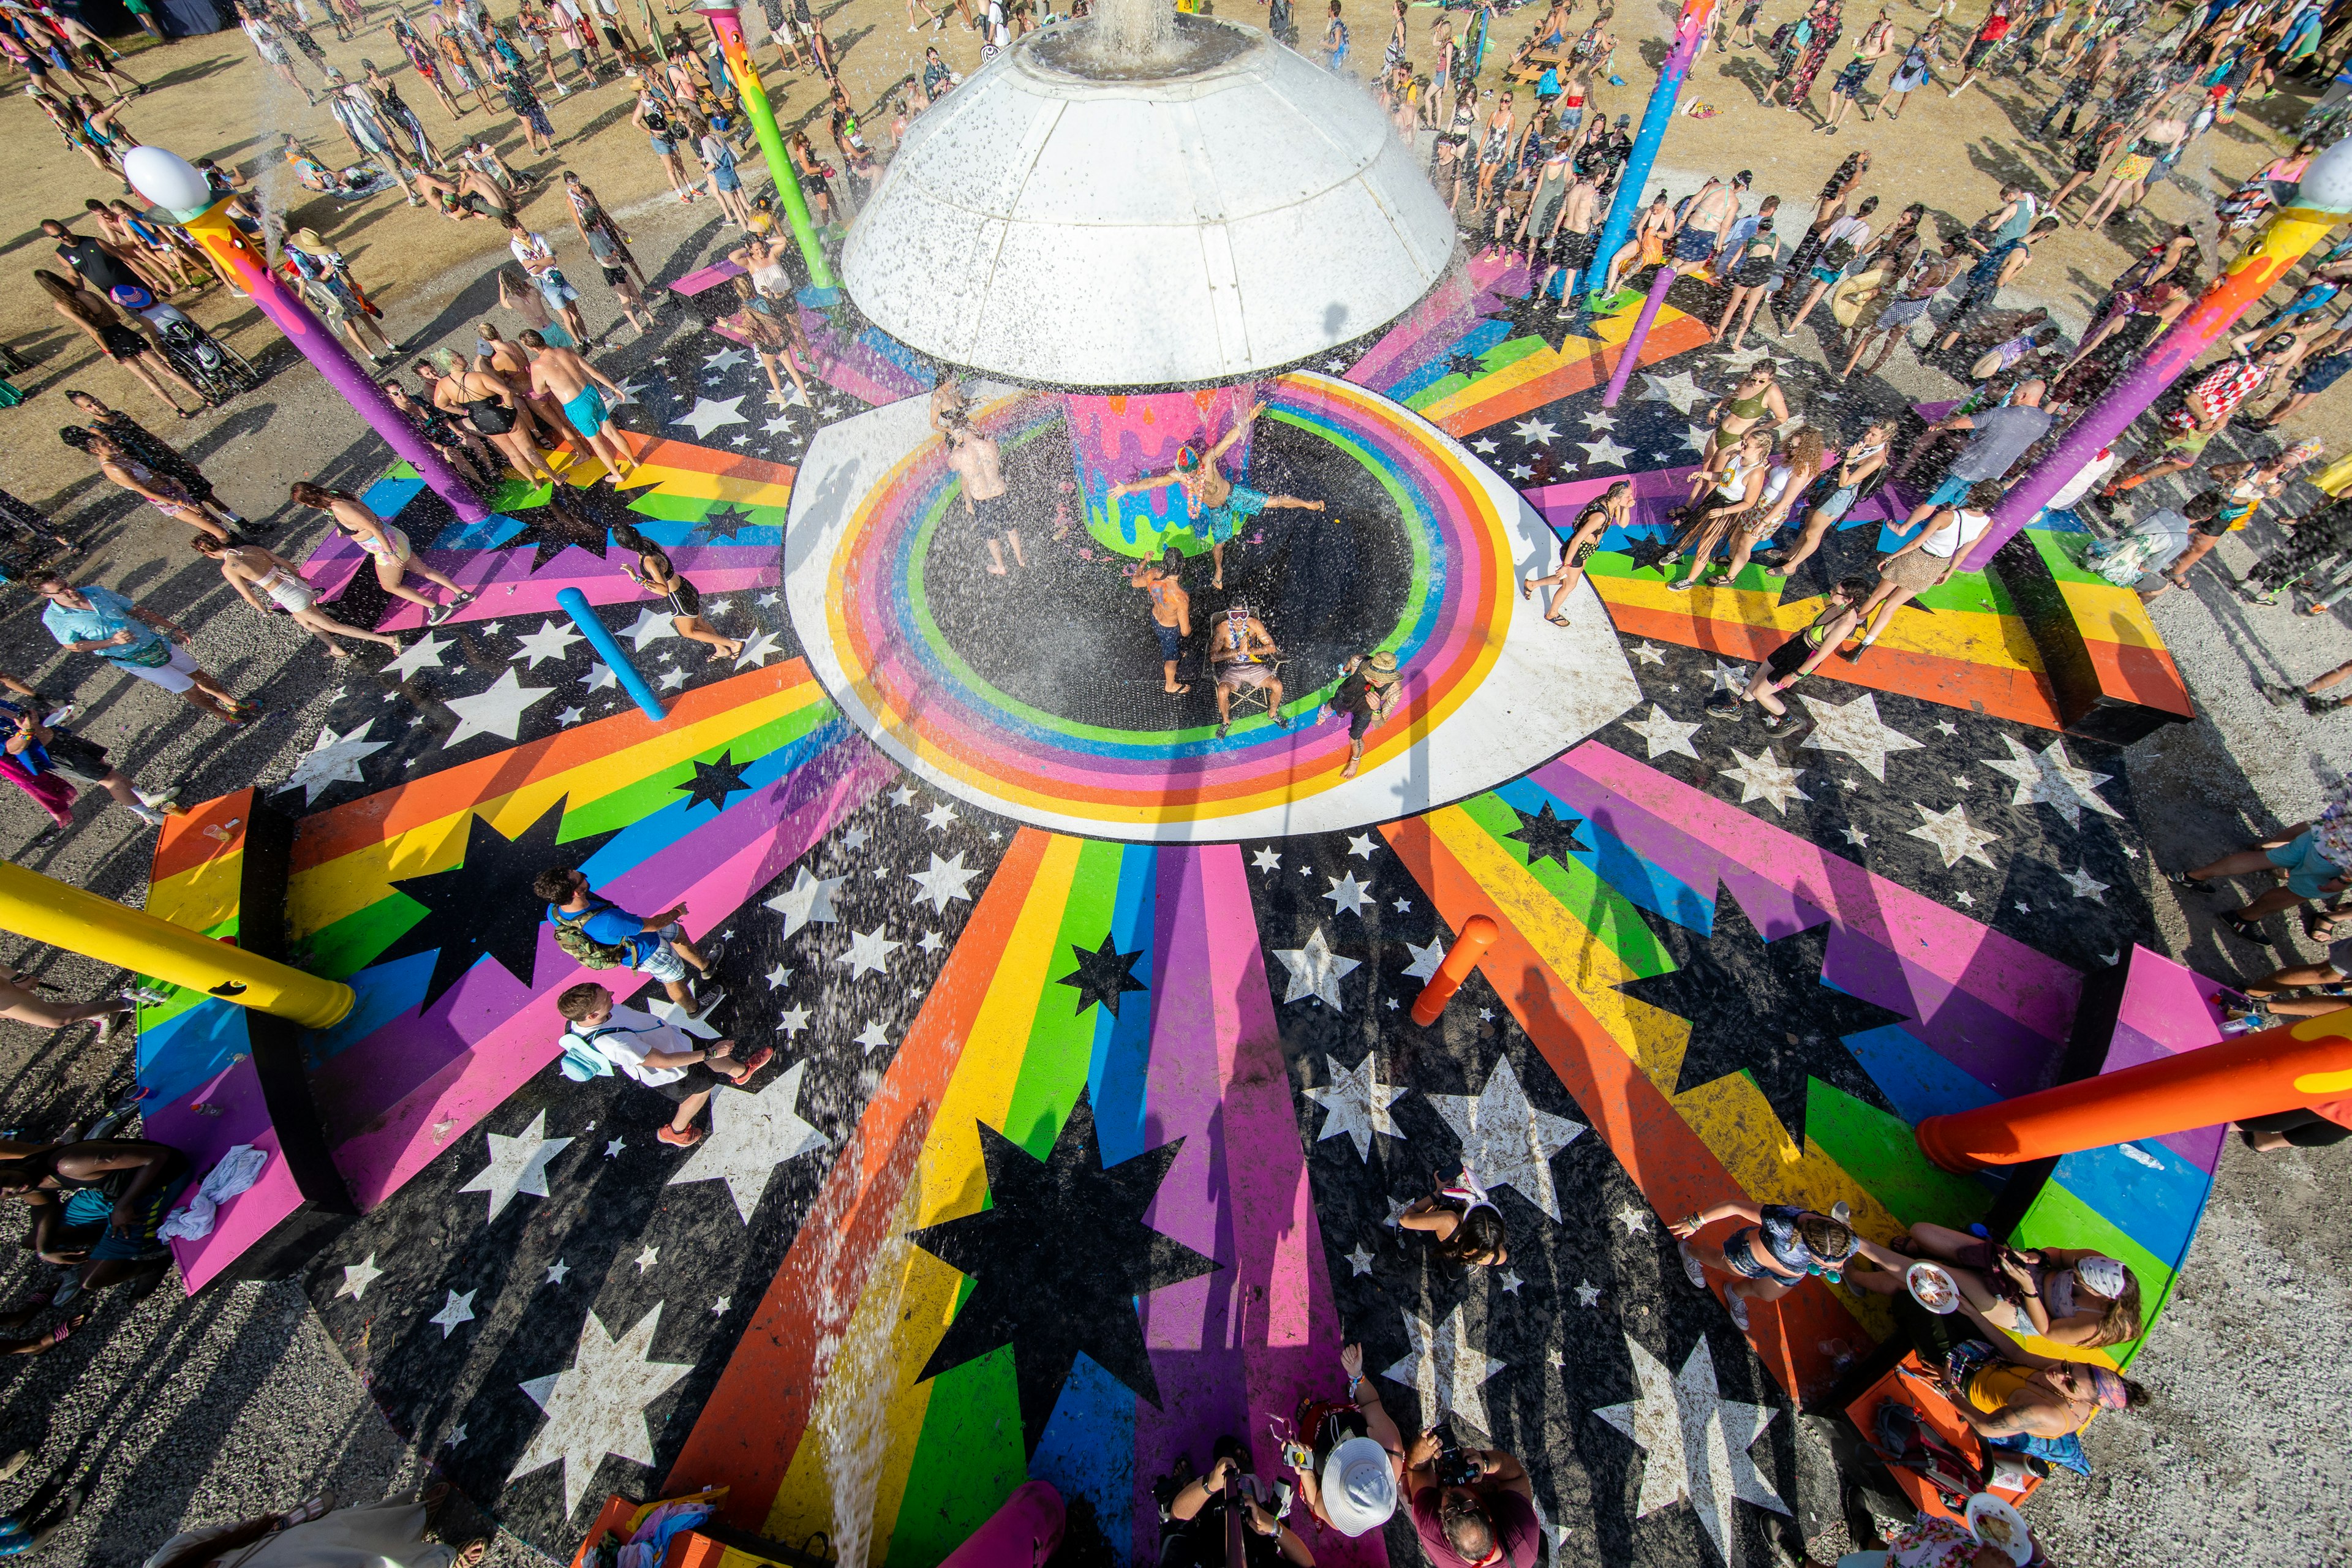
{"x": 2294, "y": 1066}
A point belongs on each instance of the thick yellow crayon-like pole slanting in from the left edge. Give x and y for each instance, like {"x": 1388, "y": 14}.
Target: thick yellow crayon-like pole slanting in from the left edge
{"x": 48, "y": 911}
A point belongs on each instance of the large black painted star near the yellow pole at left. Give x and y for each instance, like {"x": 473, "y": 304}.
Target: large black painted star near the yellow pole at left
{"x": 486, "y": 904}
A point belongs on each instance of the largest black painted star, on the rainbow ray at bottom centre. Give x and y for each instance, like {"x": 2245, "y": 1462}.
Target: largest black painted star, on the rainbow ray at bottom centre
{"x": 1060, "y": 1259}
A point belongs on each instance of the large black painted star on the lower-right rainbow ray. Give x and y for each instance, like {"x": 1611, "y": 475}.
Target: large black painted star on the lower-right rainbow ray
{"x": 1763, "y": 1010}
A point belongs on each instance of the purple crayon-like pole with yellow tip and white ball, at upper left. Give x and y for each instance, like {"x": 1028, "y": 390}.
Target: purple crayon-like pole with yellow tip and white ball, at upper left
{"x": 182, "y": 192}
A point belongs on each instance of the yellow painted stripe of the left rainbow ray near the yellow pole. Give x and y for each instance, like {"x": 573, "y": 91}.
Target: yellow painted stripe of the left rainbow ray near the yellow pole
{"x": 347, "y": 885}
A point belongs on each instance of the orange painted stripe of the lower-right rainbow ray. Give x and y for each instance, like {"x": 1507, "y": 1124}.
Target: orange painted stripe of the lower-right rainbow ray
{"x": 1659, "y": 1151}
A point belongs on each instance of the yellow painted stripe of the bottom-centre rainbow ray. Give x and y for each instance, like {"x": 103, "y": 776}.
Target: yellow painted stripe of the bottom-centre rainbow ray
{"x": 909, "y": 1294}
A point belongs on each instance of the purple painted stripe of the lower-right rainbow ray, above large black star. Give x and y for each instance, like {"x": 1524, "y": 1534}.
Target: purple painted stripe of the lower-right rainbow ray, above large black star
{"x": 1984, "y": 1000}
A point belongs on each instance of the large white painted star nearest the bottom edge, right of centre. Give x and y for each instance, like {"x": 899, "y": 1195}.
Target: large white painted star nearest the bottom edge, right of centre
{"x": 1695, "y": 1442}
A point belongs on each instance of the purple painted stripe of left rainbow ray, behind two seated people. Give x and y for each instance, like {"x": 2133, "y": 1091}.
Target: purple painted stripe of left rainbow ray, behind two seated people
{"x": 502, "y": 1059}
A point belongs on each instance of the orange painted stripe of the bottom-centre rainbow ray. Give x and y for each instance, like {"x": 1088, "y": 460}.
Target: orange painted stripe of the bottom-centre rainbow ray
{"x": 761, "y": 1407}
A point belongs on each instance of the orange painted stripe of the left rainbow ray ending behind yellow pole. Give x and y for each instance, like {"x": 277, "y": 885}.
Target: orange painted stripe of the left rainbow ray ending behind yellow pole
{"x": 387, "y": 815}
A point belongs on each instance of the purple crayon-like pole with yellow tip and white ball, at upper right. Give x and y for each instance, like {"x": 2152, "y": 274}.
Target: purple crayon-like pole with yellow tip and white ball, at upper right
{"x": 2320, "y": 203}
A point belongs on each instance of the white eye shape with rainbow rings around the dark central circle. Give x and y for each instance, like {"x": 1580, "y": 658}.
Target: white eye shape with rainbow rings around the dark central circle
{"x": 1490, "y": 688}
